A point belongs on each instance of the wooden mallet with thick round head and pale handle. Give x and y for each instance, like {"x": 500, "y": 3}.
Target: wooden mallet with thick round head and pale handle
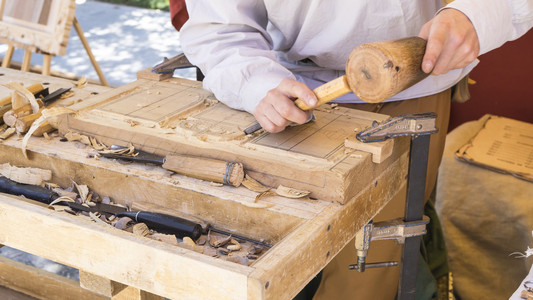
{"x": 374, "y": 72}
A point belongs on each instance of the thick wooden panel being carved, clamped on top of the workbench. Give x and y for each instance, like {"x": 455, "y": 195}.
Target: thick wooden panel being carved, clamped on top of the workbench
{"x": 177, "y": 116}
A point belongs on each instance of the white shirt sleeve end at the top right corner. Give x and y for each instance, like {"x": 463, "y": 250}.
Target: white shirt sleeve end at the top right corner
{"x": 497, "y": 21}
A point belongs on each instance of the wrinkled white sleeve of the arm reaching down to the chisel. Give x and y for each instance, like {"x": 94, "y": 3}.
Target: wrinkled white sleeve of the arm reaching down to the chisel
{"x": 230, "y": 44}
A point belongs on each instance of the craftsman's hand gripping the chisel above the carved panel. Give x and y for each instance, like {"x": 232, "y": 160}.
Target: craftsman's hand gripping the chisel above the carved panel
{"x": 277, "y": 109}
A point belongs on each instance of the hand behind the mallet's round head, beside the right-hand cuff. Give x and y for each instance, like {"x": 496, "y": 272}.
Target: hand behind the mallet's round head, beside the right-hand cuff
{"x": 452, "y": 42}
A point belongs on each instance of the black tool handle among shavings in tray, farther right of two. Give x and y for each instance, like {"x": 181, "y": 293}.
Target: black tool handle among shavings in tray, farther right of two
{"x": 166, "y": 223}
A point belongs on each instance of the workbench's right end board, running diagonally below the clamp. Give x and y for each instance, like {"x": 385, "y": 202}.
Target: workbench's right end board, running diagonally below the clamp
{"x": 325, "y": 236}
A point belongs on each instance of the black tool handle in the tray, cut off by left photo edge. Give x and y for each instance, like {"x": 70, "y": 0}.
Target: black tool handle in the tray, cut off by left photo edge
{"x": 29, "y": 191}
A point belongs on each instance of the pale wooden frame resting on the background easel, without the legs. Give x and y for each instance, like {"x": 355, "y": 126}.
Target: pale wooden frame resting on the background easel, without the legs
{"x": 46, "y": 28}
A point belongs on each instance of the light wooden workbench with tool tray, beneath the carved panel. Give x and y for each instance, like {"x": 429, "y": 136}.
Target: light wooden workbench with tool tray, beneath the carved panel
{"x": 305, "y": 234}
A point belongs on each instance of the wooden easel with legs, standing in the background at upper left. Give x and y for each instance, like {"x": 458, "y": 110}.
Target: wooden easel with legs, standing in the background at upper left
{"x": 48, "y": 37}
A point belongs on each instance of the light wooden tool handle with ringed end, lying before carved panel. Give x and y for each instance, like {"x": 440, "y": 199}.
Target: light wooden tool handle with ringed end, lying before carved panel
{"x": 209, "y": 169}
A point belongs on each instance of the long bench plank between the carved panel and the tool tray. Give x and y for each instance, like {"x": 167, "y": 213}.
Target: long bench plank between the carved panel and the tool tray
{"x": 225, "y": 207}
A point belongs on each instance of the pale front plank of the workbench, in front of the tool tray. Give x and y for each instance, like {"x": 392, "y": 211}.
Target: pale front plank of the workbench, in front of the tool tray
{"x": 146, "y": 264}
